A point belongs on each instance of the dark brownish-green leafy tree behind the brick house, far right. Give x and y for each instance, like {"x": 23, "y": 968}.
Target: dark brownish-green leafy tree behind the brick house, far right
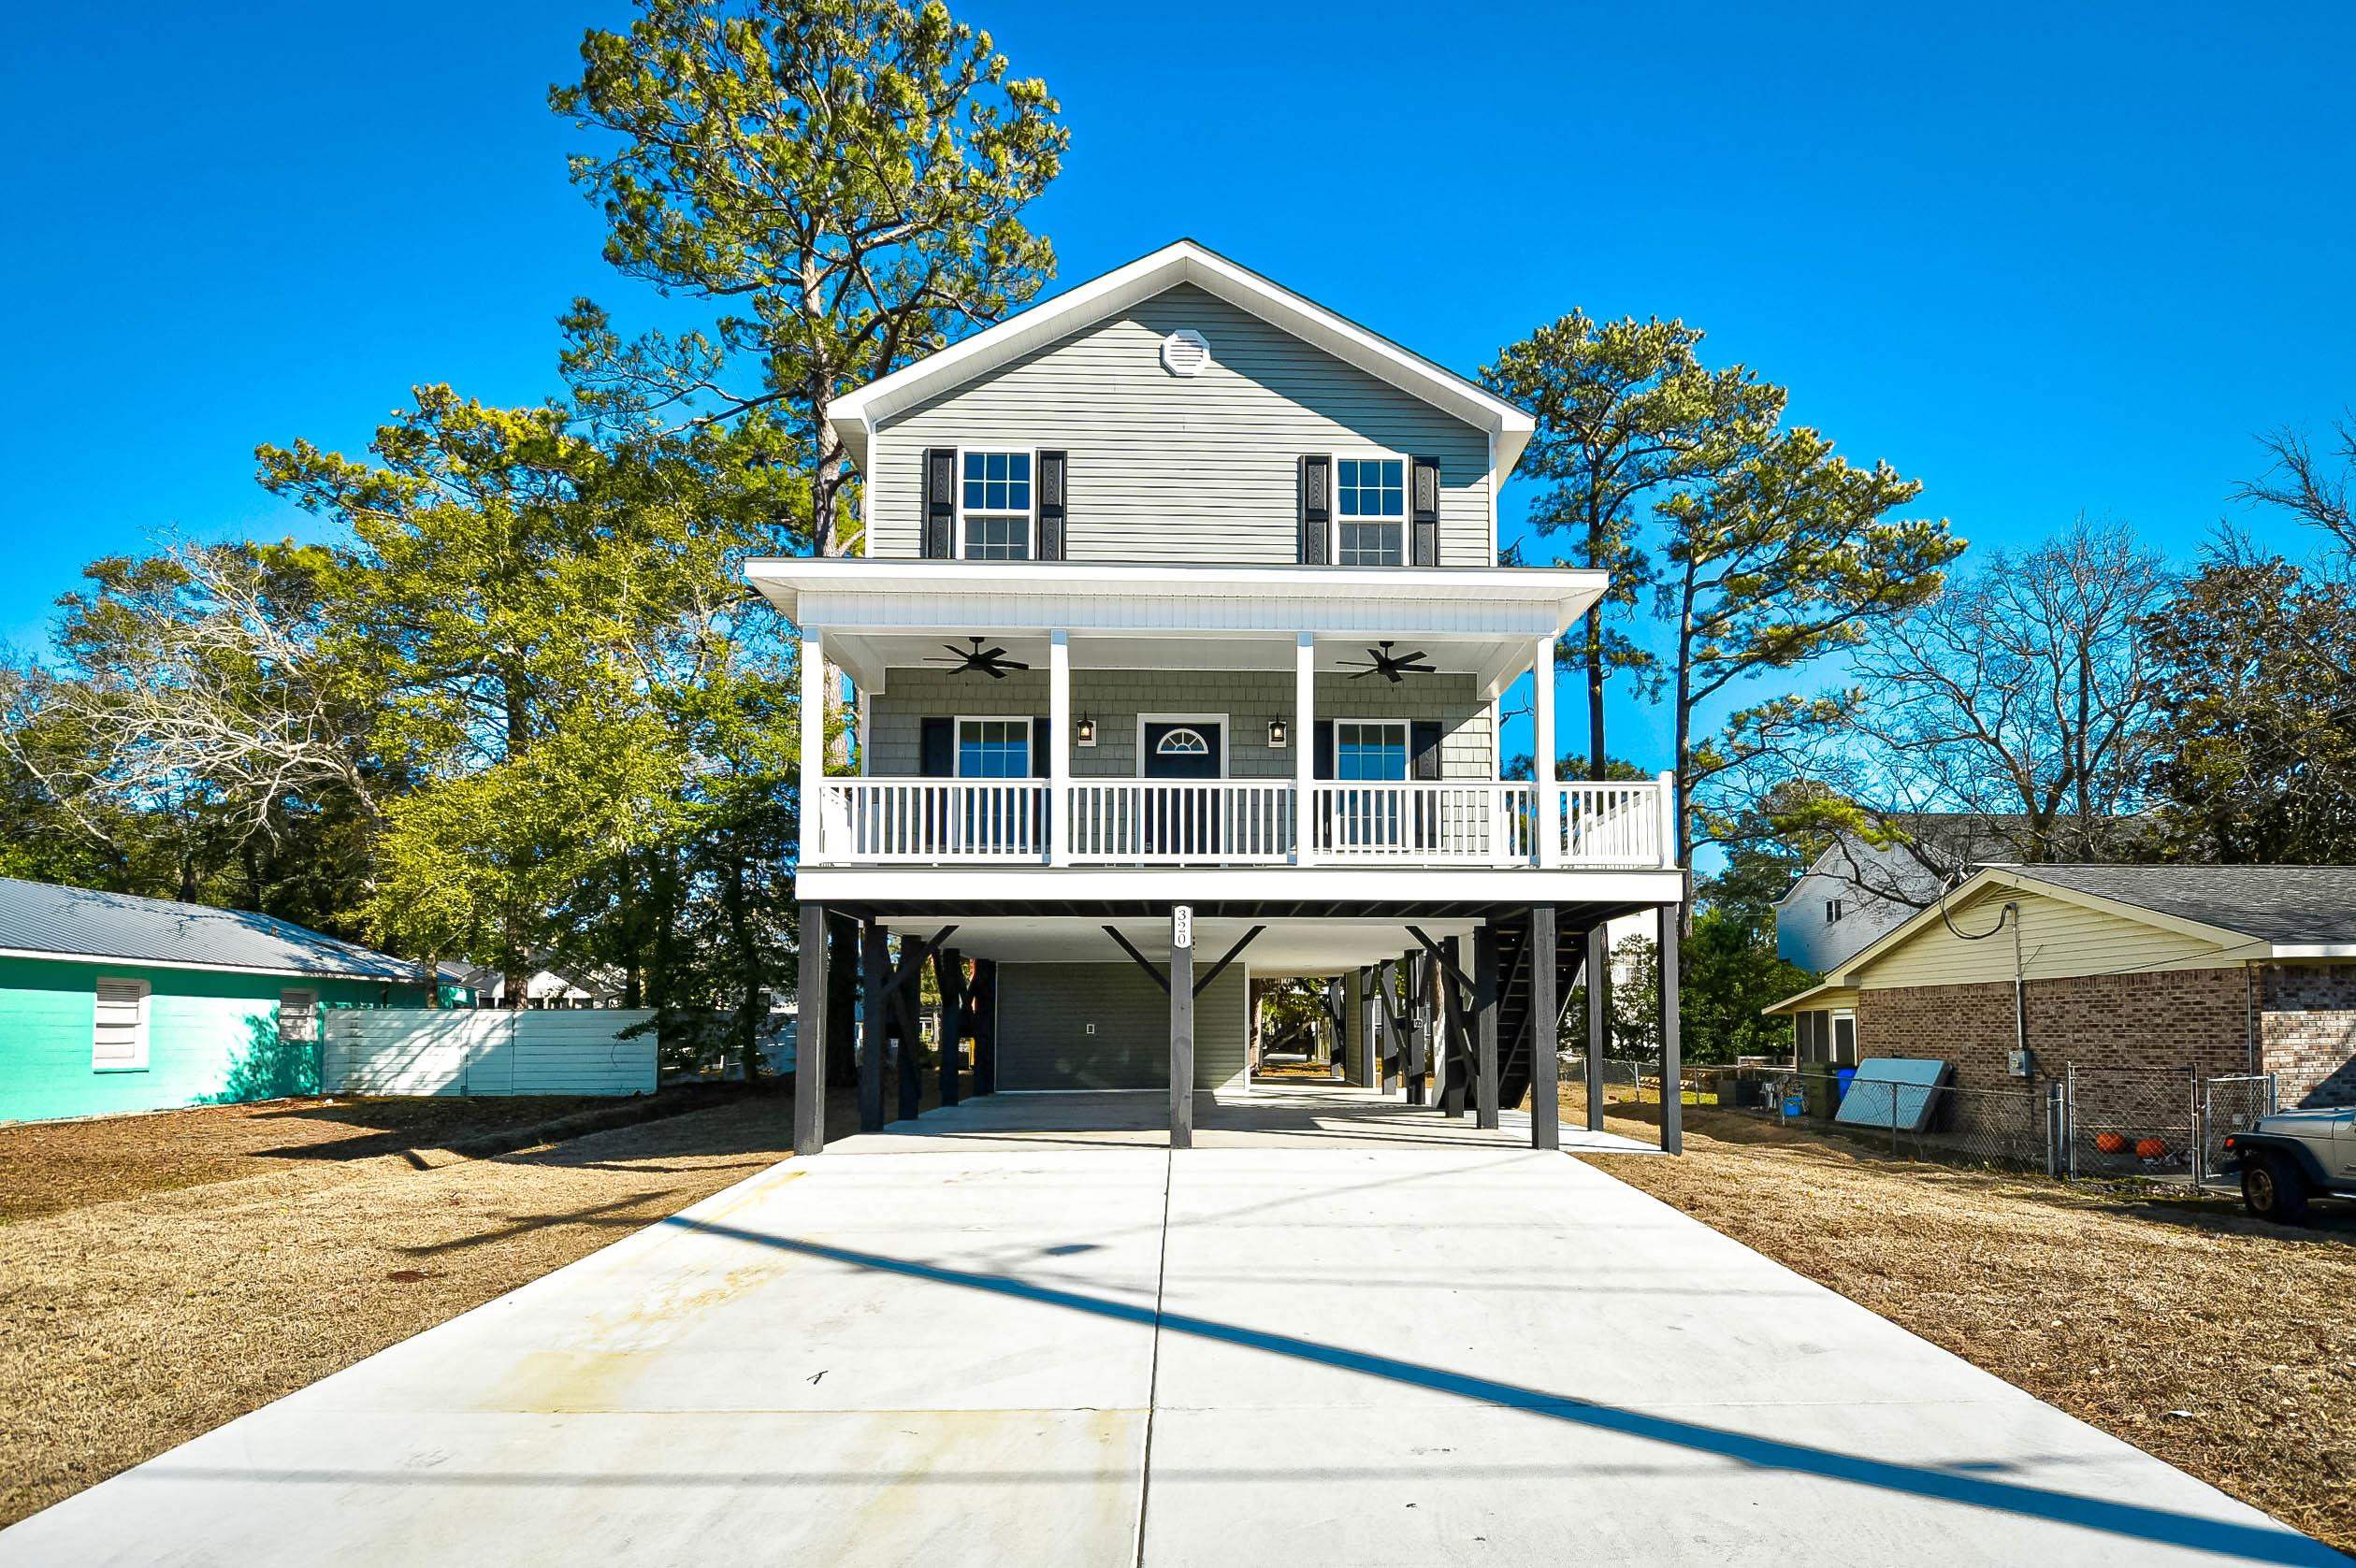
{"x": 2256, "y": 750}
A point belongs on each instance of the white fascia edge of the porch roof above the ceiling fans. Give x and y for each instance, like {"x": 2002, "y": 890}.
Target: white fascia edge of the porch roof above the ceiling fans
{"x": 821, "y": 592}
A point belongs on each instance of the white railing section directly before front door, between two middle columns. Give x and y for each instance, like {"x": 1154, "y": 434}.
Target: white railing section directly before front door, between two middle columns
{"x": 1236, "y": 823}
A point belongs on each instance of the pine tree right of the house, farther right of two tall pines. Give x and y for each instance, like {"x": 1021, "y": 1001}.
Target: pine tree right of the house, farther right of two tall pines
{"x": 1785, "y": 559}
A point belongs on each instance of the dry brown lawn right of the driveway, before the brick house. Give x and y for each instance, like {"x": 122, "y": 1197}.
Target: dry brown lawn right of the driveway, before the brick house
{"x": 2202, "y": 1336}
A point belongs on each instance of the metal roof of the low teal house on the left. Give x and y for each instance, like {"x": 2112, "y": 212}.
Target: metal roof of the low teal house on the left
{"x": 46, "y": 922}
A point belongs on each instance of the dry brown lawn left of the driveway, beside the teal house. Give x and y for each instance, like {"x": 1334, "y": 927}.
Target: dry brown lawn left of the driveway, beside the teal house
{"x": 168, "y": 1298}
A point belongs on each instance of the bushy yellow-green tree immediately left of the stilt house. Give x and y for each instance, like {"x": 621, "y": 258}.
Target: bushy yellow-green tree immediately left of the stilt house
{"x": 597, "y": 722}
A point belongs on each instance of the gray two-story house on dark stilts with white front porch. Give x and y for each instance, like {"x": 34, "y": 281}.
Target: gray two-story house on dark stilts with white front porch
{"x": 1179, "y": 644}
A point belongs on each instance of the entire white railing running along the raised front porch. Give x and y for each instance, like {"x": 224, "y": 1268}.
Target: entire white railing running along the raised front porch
{"x": 1243, "y": 823}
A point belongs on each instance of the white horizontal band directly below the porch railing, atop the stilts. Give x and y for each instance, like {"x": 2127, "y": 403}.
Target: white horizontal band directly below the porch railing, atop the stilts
{"x": 1205, "y": 884}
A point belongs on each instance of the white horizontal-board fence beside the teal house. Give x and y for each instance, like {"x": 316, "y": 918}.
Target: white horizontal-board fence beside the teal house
{"x": 461, "y": 1051}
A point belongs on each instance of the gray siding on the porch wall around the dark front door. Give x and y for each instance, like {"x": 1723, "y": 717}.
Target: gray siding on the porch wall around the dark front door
{"x": 1113, "y": 698}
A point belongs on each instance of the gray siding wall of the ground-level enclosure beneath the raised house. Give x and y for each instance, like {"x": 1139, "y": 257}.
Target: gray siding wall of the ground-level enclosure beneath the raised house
{"x": 1045, "y": 1014}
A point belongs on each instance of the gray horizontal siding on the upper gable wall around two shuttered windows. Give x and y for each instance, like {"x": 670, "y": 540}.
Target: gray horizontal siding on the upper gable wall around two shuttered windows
{"x": 1198, "y": 470}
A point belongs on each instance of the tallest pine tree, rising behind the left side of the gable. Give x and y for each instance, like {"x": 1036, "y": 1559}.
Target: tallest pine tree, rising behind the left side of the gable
{"x": 845, "y": 178}
